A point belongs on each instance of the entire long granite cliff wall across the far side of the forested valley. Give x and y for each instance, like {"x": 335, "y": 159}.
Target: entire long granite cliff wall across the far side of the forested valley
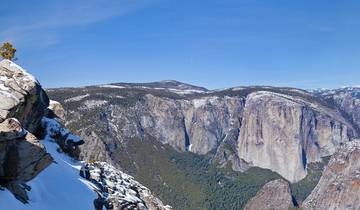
{"x": 247, "y": 126}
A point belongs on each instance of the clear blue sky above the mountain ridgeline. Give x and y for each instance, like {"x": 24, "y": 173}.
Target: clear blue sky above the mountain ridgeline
{"x": 211, "y": 43}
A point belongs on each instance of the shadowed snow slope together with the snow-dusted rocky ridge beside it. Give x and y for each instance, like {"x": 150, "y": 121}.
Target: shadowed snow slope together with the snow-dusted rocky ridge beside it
{"x": 60, "y": 187}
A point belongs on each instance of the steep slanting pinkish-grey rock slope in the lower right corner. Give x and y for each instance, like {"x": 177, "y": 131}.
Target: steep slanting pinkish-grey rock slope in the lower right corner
{"x": 339, "y": 186}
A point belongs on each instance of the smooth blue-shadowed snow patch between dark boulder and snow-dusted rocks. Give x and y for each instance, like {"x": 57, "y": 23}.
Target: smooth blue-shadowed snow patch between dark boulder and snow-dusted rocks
{"x": 58, "y": 187}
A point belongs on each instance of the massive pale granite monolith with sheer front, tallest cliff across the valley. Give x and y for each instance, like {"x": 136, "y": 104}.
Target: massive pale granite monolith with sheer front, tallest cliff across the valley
{"x": 284, "y": 133}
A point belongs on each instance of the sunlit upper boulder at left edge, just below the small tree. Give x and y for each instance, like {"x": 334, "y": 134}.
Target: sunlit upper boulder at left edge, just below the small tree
{"x": 21, "y": 96}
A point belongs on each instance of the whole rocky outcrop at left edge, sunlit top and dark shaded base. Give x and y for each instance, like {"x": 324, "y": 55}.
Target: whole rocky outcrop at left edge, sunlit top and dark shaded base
{"x": 22, "y": 106}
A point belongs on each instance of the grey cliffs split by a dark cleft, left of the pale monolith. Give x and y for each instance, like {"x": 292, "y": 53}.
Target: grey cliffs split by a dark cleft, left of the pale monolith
{"x": 197, "y": 125}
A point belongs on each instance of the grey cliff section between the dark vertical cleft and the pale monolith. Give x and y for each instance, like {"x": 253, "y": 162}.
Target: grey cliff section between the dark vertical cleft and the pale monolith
{"x": 209, "y": 120}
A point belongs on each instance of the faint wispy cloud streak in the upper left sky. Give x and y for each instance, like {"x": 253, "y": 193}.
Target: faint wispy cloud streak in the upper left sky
{"x": 43, "y": 21}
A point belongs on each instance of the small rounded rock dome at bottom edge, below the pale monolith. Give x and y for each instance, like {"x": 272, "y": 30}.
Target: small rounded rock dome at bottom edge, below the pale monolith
{"x": 273, "y": 195}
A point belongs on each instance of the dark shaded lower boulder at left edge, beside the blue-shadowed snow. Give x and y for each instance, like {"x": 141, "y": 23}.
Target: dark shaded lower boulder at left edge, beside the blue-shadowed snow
{"x": 22, "y": 157}
